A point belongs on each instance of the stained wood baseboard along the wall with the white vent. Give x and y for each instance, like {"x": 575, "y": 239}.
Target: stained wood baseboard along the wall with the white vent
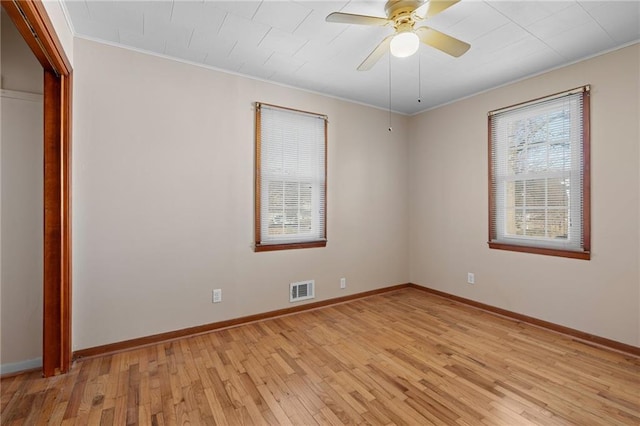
{"x": 191, "y": 331}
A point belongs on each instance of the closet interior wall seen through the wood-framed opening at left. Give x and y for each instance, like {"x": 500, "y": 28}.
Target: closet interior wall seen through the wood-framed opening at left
{"x": 20, "y": 204}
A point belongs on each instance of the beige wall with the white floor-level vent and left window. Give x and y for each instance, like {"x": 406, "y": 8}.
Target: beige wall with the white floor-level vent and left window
{"x": 163, "y": 198}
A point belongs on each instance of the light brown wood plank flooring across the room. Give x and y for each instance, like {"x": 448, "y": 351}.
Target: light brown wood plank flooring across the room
{"x": 405, "y": 357}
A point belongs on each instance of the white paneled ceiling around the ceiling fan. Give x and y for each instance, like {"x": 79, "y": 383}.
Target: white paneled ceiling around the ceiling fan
{"x": 289, "y": 42}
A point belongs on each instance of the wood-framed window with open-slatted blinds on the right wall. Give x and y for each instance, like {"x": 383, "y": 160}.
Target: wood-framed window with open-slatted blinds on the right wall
{"x": 539, "y": 176}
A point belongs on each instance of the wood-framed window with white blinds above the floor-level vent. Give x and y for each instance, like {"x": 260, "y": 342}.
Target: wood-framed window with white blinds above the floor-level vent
{"x": 291, "y": 149}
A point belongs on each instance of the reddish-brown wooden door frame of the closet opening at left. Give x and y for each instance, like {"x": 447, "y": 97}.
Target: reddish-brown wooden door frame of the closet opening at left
{"x": 33, "y": 23}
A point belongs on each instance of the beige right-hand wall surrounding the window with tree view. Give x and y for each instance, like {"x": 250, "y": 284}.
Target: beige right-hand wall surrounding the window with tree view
{"x": 448, "y": 206}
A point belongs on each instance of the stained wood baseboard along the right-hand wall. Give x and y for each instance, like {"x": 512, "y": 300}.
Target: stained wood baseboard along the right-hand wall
{"x": 601, "y": 341}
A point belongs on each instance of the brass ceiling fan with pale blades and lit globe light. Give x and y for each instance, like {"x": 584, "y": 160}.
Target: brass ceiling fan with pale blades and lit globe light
{"x": 403, "y": 15}
